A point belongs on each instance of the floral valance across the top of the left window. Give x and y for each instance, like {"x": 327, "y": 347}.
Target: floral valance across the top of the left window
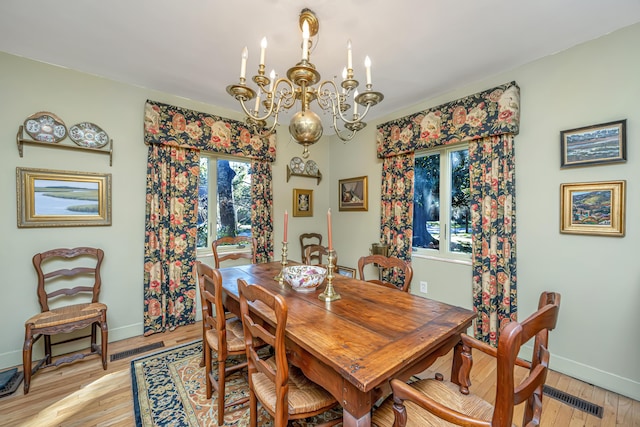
{"x": 170, "y": 125}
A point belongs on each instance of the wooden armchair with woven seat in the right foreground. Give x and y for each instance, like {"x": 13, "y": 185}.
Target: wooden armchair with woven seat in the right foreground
{"x": 436, "y": 402}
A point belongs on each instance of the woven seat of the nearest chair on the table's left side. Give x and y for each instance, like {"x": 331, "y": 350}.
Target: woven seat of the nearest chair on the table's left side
{"x": 305, "y": 396}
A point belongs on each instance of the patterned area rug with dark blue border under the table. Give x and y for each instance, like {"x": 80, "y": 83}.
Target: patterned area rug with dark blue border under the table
{"x": 169, "y": 390}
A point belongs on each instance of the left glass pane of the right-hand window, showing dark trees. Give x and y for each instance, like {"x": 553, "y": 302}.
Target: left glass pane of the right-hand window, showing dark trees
{"x": 426, "y": 202}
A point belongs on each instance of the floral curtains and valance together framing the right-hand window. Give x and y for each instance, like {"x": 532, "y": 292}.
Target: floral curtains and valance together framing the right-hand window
{"x": 487, "y": 115}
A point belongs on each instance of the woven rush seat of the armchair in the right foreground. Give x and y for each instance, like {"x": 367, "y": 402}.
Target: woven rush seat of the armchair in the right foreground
{"x": 445, "y": 392}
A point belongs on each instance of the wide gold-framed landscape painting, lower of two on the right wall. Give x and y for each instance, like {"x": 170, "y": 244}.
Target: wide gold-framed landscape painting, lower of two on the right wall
{"x": 593, "y": 208}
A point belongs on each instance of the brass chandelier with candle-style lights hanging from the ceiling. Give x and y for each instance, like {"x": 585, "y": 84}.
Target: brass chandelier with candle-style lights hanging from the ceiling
{"x": 282, "y": 93}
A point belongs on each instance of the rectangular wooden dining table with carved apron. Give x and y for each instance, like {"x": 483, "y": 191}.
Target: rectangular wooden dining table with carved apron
{"x": 353, "y": 346}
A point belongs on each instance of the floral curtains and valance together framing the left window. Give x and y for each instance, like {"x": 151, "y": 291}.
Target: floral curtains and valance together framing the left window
{"x": 175, "y": 137}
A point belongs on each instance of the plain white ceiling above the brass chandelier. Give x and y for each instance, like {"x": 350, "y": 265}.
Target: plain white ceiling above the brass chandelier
{"x": 191, "y": 48}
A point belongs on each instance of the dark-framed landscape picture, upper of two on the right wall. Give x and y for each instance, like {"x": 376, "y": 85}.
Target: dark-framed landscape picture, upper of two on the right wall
{"x": 596, "y": 144}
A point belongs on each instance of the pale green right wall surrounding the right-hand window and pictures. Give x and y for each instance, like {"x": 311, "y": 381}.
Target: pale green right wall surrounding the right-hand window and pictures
{"x": 597, "y": 338}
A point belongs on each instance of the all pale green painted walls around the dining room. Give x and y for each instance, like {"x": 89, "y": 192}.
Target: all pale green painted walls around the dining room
{"x": 597, "y": 276}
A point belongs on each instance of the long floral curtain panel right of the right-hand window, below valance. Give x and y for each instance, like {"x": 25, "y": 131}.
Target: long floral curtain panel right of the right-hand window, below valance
{"x": 492, "y": 182}
